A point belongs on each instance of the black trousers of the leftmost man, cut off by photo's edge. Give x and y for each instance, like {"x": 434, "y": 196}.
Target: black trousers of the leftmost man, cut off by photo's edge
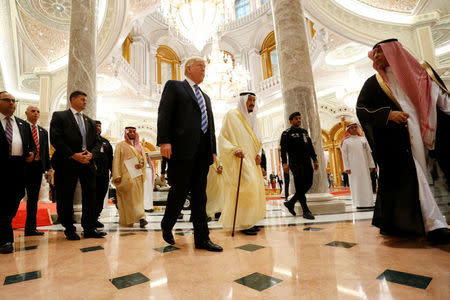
{"x": 12, "y": 186}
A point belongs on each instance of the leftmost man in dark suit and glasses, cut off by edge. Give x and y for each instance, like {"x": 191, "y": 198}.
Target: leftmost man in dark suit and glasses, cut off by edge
{"x": 16, "y": 149}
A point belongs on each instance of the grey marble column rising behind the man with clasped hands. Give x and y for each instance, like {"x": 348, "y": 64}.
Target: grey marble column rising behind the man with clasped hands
{"x": 82, "y": 67}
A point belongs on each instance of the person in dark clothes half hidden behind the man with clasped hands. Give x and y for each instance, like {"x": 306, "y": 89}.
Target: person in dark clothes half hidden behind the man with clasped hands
{"x": 103, "y": 157}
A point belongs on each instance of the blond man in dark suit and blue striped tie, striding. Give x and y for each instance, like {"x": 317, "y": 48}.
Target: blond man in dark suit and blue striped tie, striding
{"x": 187, "y": 138}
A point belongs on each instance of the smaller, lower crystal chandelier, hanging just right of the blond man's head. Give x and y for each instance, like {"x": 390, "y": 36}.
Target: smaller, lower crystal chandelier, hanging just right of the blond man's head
{"x": 223, "y": 79}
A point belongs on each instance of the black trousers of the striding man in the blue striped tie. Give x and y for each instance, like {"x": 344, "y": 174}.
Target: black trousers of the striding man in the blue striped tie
{"x": 185, "y": 176}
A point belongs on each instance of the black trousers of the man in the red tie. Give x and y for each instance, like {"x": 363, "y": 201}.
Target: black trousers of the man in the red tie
{"x": 33, "y": 186}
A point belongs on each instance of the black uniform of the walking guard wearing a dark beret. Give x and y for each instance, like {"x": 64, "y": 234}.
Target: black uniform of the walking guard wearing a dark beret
{"x": 296, "y": 143}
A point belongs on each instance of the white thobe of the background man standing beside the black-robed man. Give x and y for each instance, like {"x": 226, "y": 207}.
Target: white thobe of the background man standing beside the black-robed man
{"x": 357, "y": 158}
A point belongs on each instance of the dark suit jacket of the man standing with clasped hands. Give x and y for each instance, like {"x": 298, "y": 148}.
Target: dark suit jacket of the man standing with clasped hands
{"x": 65, "y": 136}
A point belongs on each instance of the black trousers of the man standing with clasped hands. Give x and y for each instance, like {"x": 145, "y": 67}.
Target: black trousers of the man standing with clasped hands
{"x": 66, "y": 177}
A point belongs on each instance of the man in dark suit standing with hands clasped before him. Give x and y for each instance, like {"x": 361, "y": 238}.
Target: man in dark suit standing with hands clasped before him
{"x": 74, "y": 137}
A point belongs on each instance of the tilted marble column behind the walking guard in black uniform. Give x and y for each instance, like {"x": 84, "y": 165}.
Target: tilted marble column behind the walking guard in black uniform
{"x": 297, "y": 78}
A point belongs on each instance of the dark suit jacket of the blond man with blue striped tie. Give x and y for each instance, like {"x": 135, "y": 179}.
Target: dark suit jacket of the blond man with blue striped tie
{"x": 179, "y": 120}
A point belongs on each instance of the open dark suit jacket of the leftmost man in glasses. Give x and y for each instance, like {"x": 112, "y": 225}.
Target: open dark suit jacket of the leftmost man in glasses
{"x": 27, "y": 140}
